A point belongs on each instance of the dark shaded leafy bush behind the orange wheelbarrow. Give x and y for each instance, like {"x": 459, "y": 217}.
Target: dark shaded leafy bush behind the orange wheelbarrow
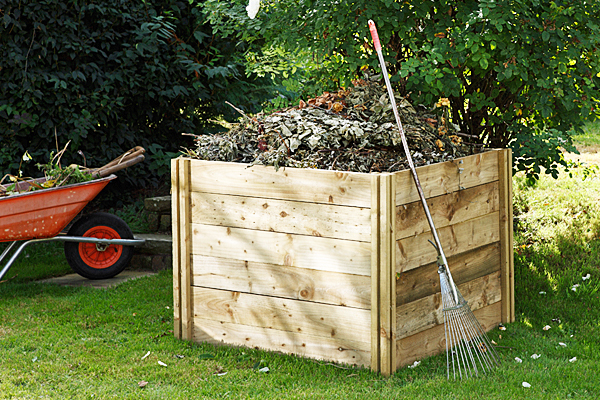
{"x": 111, "y": 75}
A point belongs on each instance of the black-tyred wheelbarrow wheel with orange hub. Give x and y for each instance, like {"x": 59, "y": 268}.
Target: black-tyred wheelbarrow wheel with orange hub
{"x": 98, "y": 261}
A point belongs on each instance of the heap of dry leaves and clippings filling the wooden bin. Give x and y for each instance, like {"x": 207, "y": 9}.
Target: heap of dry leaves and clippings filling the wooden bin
{"x": 351, "y": 130}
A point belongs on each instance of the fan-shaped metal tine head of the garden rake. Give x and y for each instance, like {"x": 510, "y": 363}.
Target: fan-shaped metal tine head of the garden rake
{"x": 469, "y": 352}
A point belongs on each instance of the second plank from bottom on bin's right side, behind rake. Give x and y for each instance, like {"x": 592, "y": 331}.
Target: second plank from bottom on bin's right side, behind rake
{"x": 426, "y": 312}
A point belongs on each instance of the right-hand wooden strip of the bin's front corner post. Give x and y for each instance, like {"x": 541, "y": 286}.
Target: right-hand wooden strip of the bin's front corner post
{"x": 387, "y": 297}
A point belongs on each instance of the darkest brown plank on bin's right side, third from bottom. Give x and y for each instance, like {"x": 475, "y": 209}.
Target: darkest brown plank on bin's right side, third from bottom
{"x": 425, "y": 281}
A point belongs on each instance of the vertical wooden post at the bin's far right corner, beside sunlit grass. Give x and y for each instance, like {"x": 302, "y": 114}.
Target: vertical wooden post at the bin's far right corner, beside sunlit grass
{"x": 506, "y": 234}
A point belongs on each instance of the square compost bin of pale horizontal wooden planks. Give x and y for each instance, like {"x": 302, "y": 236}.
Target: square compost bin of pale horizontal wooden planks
{"x": 337, "y": 265}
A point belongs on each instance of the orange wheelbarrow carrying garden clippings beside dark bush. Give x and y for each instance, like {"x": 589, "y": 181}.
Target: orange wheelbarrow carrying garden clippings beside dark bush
{"x": 97, "y": 246}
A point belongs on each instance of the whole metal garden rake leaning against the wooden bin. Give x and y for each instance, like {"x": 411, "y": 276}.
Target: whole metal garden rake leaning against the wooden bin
{"x": 468, "y": 349}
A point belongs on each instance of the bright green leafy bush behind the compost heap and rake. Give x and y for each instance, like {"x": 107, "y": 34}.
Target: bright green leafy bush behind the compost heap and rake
{"x": 517, "y": 73}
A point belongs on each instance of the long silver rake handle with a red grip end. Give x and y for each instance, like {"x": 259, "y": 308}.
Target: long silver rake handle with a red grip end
{"x": 438, "y": 244}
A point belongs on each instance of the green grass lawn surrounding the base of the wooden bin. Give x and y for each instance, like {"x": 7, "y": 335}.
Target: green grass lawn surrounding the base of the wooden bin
{"x": 58, "y": 342}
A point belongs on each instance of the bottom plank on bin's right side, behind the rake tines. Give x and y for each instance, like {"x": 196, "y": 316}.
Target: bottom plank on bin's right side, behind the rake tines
{"x": 433, "y": 341}
